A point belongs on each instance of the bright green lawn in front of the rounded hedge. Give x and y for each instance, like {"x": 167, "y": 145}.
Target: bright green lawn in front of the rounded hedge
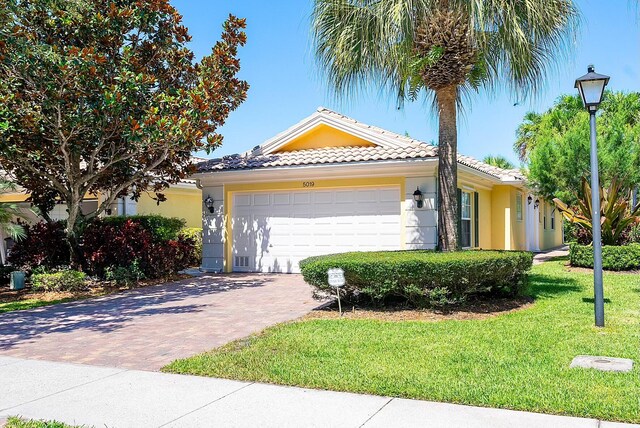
{"x": 518, "y": 360}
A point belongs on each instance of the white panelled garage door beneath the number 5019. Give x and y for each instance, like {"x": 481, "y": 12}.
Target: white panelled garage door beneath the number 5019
{"x": 273, "y": 231}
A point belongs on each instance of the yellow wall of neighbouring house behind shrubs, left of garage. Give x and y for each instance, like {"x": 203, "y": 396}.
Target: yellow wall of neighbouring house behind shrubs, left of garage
{"x": 181, "y": 203}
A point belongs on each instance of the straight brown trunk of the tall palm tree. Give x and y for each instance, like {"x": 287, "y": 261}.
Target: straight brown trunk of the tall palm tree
{"x": 447, "y": 169}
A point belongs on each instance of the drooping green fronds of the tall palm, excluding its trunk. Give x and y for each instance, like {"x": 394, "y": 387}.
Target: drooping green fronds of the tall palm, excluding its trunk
{"x": 364, "y": 43}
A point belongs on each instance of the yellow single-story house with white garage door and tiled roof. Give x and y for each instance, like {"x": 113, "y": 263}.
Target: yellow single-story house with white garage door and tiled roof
{"x": 331, "y": 184}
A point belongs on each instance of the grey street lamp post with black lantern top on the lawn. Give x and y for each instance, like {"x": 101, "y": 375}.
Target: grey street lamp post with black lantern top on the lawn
{"x": 591, "y": 87}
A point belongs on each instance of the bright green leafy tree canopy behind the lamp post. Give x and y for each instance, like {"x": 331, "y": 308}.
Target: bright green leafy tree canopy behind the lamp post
{"x": 555, "y": 145}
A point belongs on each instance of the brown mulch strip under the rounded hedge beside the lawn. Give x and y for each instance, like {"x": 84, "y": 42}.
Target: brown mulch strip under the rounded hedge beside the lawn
{"x": 472, "y": 310}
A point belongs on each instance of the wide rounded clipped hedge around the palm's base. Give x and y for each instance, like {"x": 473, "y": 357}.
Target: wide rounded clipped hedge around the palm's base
{"x": 421, "y": 277}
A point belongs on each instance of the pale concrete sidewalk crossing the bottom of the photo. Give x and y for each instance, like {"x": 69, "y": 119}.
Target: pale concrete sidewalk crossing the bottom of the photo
{"x": 115, "y": 397}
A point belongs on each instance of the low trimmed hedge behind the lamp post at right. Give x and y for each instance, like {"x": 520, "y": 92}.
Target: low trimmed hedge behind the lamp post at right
{"x": 614, "y": 257}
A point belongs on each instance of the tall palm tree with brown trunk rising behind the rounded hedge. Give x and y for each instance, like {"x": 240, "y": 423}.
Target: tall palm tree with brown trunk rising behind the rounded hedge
{"x": 447, "y": 48}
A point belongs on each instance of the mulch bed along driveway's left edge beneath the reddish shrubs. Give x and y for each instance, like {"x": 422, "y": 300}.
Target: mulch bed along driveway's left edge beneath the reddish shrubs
{"x": 95, "y": 289}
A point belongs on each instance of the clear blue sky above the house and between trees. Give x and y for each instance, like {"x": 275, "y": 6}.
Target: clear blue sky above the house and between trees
{"x": 286, "y": 84}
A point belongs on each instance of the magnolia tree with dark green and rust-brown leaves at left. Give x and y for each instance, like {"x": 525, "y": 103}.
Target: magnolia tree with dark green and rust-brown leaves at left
{"x": 103, "y": 96}
